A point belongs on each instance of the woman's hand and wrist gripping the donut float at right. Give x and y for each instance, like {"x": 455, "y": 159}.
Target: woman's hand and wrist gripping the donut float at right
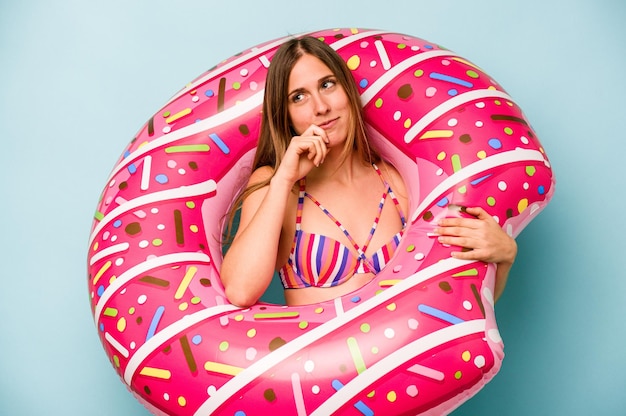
{"x": 486, "y": 240}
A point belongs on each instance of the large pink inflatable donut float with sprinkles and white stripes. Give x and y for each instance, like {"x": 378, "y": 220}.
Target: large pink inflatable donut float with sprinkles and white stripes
{"x": 420, "y": 338}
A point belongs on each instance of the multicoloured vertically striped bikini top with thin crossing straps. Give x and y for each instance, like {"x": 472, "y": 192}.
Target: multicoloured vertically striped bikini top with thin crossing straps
{"x": 316, "y": 260}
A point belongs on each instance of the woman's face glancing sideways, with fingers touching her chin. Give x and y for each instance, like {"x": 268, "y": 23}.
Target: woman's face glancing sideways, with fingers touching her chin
{"x": 315, "y": 97}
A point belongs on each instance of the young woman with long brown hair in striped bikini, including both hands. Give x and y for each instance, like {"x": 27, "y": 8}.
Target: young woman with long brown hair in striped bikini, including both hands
{"x": 321, "y": 207}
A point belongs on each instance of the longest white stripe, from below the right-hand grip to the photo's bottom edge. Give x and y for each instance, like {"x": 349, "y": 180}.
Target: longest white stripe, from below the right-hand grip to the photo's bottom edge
{"x": 257, "y": 369}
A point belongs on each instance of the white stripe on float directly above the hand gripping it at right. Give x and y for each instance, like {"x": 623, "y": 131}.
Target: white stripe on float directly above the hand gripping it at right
{"x": 500, "y": 159}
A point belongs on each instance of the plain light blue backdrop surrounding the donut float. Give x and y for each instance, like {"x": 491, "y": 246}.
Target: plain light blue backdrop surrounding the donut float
{"x": 78, "y": 79}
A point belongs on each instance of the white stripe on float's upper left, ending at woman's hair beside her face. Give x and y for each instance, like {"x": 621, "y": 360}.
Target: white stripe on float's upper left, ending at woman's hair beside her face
{"x": 226, "y": 116}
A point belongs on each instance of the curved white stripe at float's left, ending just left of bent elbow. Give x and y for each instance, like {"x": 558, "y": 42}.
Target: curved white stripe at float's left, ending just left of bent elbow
{"x": 143, "y": 267}
